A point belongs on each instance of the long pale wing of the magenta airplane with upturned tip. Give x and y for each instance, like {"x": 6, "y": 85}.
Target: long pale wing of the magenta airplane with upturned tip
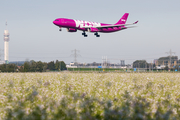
{"x": 110, "y": 26}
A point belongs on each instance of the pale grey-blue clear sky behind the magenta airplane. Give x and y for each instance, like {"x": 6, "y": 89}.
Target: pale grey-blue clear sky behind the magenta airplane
{"x": 33, "y": 36}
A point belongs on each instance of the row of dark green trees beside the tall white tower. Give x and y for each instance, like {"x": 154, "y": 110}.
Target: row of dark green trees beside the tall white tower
{"x": 33, "y": 66}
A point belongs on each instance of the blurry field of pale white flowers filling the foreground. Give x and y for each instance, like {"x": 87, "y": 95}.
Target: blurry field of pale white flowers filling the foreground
{"x": 66, "y": 95}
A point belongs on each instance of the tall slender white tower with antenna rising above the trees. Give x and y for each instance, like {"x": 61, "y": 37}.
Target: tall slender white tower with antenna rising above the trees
{"x": 6, "y": 45}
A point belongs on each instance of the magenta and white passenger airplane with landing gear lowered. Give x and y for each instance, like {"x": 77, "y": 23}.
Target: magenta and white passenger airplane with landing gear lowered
{"x": 73, "y": 25}
